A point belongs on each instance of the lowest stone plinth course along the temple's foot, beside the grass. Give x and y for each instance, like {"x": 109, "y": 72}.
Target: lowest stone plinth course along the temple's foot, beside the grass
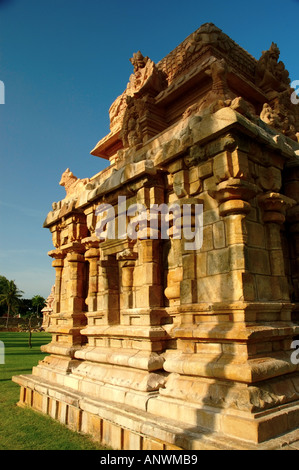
{"x": 123, "y": 427}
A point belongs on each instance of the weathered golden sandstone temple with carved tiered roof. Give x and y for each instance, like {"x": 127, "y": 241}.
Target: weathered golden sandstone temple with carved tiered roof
{"x": 159, "y": 342}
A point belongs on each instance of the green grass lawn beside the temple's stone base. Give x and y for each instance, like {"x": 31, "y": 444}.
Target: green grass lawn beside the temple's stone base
{"x": 22, "y": 428}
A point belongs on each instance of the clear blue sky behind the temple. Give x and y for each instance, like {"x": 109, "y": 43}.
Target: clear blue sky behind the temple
{"x": 63, "y": 63}
